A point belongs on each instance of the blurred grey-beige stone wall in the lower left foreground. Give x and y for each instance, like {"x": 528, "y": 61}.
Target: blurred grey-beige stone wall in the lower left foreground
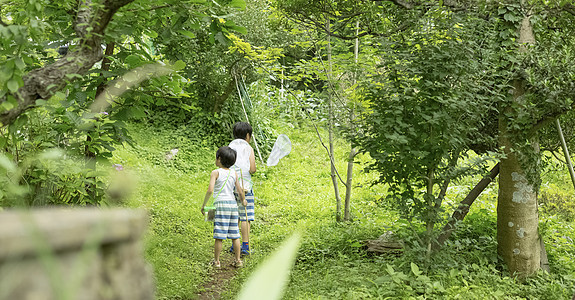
{"x": 69, "y": 254}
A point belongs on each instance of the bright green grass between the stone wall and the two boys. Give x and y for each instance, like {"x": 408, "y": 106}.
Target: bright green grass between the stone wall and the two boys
{"x": 178, "y": 243}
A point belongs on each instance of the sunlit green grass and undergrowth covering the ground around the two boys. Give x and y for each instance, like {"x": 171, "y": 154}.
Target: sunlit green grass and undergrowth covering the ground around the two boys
{"x": 332, "y": 263}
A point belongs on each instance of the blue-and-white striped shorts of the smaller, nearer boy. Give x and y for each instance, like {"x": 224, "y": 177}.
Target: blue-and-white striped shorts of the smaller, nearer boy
{"x": 226, "y": 220}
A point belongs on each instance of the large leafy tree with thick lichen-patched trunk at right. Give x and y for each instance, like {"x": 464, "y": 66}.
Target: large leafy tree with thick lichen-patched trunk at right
{"x": 461, "y": 58}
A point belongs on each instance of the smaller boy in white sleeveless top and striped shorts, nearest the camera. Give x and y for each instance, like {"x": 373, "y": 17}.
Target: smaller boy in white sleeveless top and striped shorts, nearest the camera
{"x": 223, "y": 180}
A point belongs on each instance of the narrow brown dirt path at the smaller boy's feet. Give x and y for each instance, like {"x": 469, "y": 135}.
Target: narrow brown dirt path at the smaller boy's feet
{"x": 220, "y": 278}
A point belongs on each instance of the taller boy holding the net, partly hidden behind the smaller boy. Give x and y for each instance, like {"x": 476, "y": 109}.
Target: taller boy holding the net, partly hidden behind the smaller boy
{"x": 245, "y": 166}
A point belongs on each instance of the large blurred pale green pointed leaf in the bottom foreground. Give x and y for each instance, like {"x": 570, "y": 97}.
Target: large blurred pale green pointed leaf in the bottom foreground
{"x": 269, "y": 280}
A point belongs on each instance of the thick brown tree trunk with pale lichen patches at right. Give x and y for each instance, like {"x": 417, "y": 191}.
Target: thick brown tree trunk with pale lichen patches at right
{"x": 517, "y": 218}
